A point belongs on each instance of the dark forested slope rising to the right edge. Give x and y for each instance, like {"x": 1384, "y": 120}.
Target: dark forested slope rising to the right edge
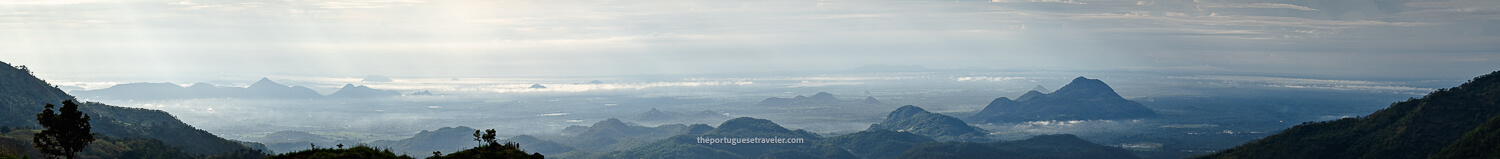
{"x": 1409, "y": 130}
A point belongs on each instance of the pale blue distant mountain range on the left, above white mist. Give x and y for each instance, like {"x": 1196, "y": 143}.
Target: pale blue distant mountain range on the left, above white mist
{"x": 263, "y": 89}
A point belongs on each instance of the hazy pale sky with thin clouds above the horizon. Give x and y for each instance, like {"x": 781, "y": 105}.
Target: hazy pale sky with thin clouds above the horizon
{"x": 1345, "y": 38}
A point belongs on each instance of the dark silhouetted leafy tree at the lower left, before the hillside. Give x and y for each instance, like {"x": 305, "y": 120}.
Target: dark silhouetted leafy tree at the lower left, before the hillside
{"x": 65, "y": 134}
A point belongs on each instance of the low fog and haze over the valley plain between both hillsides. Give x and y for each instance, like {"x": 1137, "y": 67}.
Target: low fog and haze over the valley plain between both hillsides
{"x": 514, "y": 109}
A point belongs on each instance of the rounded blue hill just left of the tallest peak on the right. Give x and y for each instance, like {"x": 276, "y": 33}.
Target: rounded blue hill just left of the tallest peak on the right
{"x": 917, "y": 121}
